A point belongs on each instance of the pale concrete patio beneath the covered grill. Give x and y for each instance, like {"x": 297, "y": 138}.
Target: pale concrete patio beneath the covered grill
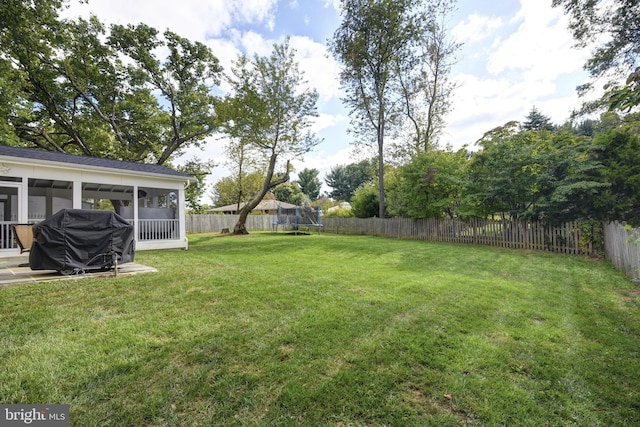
{"x": 15, "y": 271}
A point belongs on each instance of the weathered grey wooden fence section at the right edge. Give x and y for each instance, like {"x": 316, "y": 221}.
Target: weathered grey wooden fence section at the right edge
{"x": 622, "y": 248}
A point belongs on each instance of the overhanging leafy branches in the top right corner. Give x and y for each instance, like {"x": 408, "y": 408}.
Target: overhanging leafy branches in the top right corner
{"x": 613, "y": 26}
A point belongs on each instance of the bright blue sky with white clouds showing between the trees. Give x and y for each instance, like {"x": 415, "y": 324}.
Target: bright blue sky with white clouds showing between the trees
{"x": 516, "y": 54}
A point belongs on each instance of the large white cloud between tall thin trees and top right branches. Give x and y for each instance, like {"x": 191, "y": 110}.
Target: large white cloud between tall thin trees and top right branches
{"x": 527, "y": 67}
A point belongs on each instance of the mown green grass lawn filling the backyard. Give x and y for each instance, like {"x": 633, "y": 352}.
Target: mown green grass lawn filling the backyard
{"x": 330, "y": 330}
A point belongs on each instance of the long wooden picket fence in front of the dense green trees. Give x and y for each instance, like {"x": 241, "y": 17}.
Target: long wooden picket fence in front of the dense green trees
{"x": 569, "y": 238}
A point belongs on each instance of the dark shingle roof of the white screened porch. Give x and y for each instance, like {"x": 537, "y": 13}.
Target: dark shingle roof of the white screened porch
{"x": 50, "y": 156}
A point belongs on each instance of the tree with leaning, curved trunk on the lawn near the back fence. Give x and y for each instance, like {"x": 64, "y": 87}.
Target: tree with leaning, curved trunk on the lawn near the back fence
{"x": 270, "y": 107}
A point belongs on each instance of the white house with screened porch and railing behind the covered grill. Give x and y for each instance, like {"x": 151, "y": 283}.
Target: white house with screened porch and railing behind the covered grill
{"x": 36, "y": 184}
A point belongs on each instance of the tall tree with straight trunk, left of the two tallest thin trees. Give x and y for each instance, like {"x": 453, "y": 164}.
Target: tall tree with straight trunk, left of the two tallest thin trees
{"x": 381, "y": 44}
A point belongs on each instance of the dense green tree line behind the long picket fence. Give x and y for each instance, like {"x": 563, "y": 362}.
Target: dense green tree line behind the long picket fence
{"x": 533, "y": 170}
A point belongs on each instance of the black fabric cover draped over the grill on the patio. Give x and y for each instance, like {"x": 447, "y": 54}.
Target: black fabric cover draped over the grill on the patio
{"x": 81, "y": 239}
